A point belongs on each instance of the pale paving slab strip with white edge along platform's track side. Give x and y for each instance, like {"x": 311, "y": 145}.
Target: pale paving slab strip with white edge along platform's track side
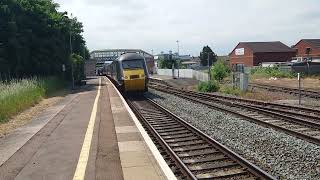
{"x": 139, "y": 157}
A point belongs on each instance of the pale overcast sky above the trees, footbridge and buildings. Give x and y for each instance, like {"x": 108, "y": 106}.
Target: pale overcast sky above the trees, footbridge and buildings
{"x": 156, "y": 25}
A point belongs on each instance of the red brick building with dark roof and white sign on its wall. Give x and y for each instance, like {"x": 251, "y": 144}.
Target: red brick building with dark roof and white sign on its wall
{"x": 255, "y": 53}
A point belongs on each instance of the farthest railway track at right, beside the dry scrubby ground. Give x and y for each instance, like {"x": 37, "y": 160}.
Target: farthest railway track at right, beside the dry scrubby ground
{"x": 293, "y": 91}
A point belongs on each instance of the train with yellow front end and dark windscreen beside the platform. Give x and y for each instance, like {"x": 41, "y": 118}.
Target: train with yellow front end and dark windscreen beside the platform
{"x": 129, "y": 72}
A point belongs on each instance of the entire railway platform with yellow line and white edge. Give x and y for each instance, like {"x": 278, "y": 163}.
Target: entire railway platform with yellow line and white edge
{"x": 91, "y": 134}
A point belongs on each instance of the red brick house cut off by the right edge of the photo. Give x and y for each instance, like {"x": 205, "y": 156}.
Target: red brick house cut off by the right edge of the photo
{"x": 307, "y": 49}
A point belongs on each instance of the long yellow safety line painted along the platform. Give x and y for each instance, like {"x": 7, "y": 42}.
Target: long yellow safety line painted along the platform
{"x": 85, "y": 150}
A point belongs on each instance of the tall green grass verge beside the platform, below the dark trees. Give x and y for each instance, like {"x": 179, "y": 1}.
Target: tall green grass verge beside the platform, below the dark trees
{"x": 18, "y": 95}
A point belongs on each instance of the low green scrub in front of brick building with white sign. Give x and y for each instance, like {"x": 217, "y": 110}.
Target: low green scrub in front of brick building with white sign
{"x": 268, "y": 72}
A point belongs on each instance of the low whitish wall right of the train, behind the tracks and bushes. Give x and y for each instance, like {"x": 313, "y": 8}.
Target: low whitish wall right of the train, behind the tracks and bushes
{"x": 184, "y": 73}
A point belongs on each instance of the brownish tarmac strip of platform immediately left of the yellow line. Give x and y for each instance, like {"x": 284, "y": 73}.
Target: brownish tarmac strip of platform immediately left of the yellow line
{"x": 60, "y": 152}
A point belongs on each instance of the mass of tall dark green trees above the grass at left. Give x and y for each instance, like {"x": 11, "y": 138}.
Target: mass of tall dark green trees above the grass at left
{"x": 34, "y": 39}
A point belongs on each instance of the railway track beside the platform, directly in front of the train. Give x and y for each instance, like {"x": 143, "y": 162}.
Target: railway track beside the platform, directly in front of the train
{"x": 190, "y": 153}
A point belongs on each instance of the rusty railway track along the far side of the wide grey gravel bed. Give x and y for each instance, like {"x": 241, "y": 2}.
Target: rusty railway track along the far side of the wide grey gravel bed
{"x": 303, "y": 123}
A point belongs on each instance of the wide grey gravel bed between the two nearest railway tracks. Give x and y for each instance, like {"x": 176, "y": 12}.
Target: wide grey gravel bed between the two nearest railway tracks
{"x": 279, "y": 154}
